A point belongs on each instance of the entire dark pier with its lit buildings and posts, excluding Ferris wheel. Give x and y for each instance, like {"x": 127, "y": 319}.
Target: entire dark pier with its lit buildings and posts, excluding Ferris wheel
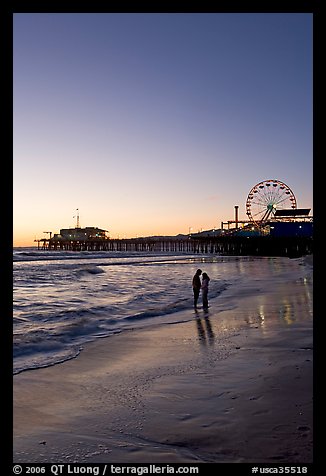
{"x": 289, "y": 234}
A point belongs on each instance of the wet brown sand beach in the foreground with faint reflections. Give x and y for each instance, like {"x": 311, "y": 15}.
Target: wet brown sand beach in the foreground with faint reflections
{"x": 232, "y": 386}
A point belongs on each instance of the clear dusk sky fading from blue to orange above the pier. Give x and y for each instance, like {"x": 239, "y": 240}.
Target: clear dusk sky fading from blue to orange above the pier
{"x": 156, "y": 123}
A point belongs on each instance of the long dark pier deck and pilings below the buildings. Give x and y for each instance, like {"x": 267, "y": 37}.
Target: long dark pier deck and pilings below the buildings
{"x": 292, "y": 246}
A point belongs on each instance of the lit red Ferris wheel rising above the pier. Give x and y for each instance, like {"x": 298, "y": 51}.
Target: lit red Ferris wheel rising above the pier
{"x": 265, "y": 198}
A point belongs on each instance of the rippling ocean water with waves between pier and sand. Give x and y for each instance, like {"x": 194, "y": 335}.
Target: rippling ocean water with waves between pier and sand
{"x": 63, "y": 300}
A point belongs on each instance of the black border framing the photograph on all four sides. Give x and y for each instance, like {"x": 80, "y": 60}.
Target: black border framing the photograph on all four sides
{"x": 8, "y": 11}
